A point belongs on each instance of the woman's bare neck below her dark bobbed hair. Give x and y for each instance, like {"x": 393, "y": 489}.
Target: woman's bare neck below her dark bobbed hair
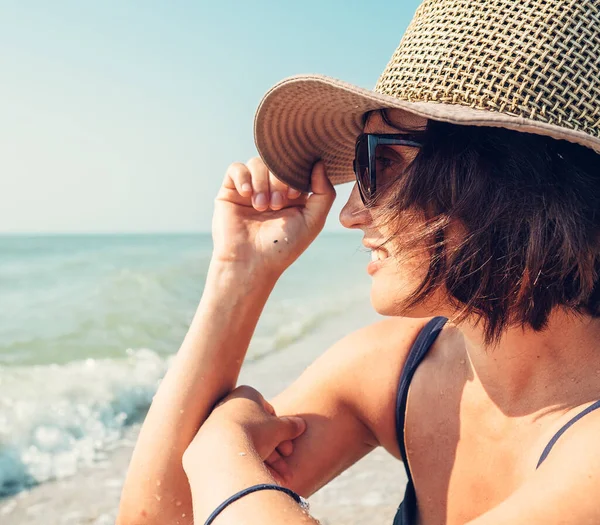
{"x": 528, "y": 371}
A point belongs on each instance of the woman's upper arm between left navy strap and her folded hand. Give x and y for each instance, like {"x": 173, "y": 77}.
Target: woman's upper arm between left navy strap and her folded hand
{"x": 347, "y": 397}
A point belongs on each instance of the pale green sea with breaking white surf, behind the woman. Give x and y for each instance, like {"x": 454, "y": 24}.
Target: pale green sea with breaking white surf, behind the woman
{"x": 91, "y": 322}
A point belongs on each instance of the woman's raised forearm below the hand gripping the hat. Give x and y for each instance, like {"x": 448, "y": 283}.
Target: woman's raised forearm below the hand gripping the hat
{"x": 205, "y": 369}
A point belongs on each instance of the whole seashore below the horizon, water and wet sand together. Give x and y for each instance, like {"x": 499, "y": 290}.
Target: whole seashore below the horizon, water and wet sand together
{"x": 94, "y": 323}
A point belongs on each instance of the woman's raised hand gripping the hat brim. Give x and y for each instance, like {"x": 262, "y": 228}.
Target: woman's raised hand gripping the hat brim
{"x": 261, "y": 222}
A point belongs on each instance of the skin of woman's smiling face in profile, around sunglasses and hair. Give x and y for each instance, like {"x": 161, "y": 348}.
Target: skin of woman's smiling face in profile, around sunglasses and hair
{"x": 394, "y": 278}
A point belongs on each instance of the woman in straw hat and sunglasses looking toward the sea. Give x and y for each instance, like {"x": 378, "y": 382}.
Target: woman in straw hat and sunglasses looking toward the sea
{"x": 477, "y": 191}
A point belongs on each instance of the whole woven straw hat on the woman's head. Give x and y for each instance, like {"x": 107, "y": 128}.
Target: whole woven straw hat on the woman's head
{"x": 526, "y": 65}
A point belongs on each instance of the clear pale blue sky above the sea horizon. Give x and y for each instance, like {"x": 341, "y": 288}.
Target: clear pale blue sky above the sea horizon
{"x": 122, "y": 116}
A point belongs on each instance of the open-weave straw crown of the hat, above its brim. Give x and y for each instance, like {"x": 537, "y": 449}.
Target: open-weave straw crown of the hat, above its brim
{"x": 536, "y": 59}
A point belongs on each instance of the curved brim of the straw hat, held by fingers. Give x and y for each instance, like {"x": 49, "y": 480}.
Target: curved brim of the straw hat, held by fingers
{"x": 305, "y": 118}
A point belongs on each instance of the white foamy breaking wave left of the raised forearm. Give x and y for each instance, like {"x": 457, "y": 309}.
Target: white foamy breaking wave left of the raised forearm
{"x": 55, "y": 419}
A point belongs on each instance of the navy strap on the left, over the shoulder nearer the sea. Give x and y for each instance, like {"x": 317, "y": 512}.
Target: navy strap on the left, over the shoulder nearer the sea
{"x": 418, "y": 351}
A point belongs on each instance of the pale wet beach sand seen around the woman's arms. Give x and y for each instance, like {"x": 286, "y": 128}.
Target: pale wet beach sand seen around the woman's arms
{"x": 369, "y": 492}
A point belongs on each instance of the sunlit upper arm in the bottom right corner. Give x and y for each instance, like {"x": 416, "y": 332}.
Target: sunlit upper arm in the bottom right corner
{"x": 564, "y": 490}
